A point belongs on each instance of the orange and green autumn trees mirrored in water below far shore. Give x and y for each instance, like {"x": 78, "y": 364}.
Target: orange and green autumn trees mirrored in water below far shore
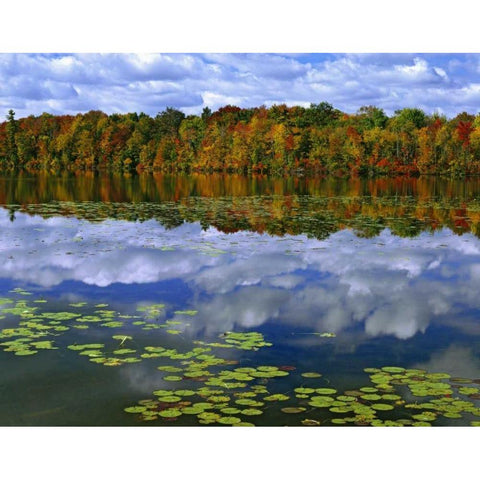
{"x": 315, "y": 206}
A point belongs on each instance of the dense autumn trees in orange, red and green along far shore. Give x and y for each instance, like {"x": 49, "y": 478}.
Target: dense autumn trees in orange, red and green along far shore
{"x": 280, "y": 139}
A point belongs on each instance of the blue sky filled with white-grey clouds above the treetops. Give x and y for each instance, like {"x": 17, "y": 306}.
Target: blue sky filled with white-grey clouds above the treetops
{"x": 71, "y": 83}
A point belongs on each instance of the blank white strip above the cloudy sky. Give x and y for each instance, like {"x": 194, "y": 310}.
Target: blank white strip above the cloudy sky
{"x": 244, "y": 26}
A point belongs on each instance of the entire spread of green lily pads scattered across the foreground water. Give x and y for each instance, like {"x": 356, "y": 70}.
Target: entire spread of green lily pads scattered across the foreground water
{"x": 218, "y": 391}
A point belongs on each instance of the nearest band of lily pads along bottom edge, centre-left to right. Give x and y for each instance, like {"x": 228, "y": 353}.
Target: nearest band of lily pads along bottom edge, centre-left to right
{"x": 238, "y": 397}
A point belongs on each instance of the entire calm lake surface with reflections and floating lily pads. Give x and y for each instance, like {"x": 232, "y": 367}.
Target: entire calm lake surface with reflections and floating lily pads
{"x": 333, "y": 276}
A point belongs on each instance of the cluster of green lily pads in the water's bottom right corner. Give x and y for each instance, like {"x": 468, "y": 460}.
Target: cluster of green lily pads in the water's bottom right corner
{"x": 398, "y": 391}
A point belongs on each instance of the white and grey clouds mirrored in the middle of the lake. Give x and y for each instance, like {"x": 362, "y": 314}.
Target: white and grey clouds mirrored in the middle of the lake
{"x": 390, "y": 285}
